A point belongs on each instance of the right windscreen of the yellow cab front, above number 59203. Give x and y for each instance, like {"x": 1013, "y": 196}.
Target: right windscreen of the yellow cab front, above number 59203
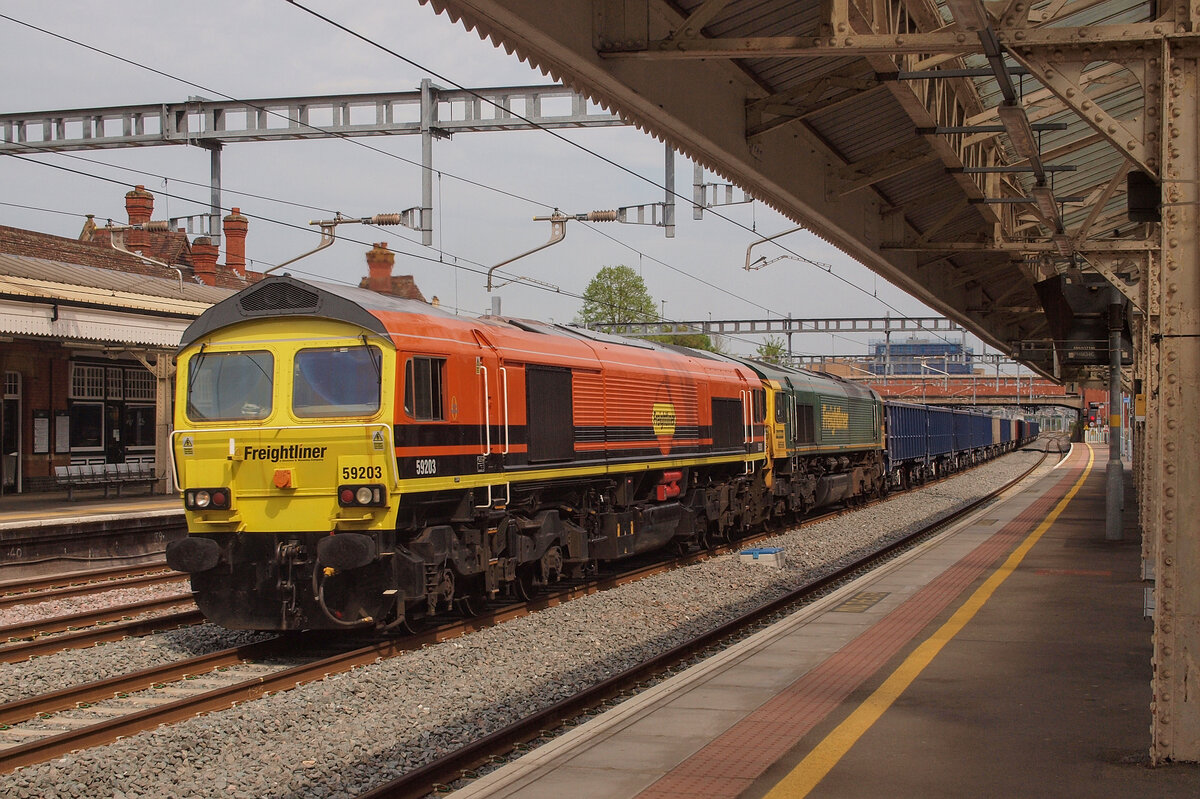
{"x": 337, "y": 382}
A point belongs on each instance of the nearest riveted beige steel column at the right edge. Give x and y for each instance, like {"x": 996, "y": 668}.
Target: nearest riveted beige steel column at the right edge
{"x": 1175, "y": 327}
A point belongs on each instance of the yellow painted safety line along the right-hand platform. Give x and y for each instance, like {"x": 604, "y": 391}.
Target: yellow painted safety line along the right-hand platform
{"x": 806, "y": 777}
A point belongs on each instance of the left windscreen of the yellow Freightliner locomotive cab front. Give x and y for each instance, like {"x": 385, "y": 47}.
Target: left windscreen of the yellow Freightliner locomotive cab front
{"x": 230, "y": 387}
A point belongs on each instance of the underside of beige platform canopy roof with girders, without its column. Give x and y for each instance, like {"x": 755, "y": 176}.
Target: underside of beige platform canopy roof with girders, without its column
{"x": 964, "y": 151}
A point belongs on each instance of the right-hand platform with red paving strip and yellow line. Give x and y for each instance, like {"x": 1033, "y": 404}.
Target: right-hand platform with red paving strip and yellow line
{"x": 1009, "y": 657}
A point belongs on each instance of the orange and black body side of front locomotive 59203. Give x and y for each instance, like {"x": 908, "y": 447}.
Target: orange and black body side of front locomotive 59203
{"x": 627, "y": 404}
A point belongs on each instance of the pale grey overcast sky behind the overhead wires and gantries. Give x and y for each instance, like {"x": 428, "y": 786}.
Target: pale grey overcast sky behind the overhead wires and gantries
{"x": 272, "y": 49}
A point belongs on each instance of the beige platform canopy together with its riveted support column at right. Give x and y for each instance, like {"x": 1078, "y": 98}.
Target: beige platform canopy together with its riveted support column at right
{"x": 980, "y": 157}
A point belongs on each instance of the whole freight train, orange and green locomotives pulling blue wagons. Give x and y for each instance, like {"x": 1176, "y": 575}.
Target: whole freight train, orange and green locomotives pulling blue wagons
{"x": 350, "y": 460}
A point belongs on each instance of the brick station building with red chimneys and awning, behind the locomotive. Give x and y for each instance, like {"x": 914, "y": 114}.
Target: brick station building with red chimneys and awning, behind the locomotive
{"x": 88, "y": 338}
